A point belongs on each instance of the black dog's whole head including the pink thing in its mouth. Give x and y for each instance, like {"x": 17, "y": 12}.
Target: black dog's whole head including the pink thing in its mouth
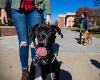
{"x": 43, "y": 38}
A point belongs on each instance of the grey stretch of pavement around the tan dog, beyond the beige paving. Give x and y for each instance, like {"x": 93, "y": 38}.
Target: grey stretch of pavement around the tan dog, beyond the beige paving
{"x": 70, "y": 44}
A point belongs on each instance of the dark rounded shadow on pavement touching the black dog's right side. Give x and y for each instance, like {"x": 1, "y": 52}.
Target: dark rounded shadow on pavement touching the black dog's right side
{"x": 65, "y": 75}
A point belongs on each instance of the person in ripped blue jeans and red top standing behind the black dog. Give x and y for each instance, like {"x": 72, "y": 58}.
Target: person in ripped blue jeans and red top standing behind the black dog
{"x": 26, "y": 14}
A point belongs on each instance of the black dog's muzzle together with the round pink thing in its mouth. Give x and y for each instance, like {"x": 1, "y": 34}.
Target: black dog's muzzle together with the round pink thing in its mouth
{"x": 41, "y": 44}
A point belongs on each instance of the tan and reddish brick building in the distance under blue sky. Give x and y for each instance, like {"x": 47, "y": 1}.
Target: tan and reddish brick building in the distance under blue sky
{"x": 66, "y": 20}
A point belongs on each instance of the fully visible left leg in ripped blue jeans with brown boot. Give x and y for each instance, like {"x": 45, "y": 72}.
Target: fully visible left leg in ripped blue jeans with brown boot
{"x": 20, "y": 21}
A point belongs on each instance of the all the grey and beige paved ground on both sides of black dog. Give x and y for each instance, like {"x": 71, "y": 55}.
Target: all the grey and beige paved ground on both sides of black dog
{"x": 78, "y": 62}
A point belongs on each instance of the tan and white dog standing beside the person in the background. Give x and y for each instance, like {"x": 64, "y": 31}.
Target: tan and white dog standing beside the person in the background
{"x": 86, "y": 38}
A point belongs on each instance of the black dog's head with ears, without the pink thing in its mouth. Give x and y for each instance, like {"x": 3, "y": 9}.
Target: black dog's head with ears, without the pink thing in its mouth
{"x": 44, "y": 36}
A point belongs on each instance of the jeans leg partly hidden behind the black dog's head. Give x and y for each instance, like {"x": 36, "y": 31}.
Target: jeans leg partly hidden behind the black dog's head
{"x": 34, "y": 18}
